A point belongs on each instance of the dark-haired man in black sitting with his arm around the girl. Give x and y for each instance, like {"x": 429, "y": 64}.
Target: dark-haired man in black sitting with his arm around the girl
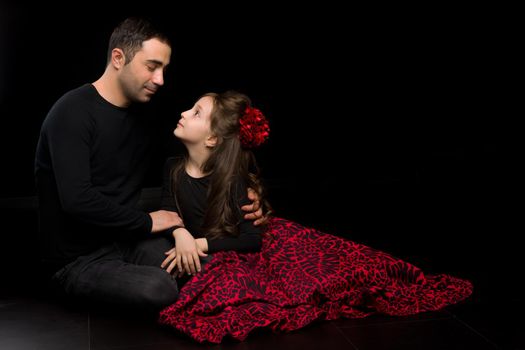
{"x": 91, "y": 160}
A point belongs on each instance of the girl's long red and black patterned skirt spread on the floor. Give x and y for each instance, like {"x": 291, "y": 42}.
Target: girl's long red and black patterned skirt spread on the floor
{"x": 299, "y": 276}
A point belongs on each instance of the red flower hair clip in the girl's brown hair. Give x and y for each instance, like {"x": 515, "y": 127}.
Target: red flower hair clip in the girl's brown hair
{"x": 254, "y": 129}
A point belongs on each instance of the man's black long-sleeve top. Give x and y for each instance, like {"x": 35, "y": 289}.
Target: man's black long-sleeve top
{"x": 90, "y": 164}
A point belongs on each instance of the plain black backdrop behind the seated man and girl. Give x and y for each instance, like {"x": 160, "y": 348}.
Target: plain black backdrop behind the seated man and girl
{"x": 392, "y": 126}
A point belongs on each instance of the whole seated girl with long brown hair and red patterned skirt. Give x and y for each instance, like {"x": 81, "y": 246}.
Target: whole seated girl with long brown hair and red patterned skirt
{"x": 285, "y": 278}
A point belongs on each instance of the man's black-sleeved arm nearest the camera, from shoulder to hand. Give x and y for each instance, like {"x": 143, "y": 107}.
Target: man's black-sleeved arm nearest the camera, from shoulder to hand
{"x": 69, "y": 138}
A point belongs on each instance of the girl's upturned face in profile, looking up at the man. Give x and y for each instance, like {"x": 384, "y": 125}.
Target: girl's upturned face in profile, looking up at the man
{"x": 194, "y": 124}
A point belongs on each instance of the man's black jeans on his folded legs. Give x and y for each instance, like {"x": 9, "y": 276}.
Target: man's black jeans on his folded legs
{"x": 123, "y": 273}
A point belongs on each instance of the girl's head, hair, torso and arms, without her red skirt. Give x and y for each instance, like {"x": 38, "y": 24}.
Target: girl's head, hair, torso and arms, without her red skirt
{"x": 208, "y": 187}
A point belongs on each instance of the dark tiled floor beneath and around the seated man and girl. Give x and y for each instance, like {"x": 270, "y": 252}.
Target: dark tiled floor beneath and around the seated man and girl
{"x": 492, "y": 318}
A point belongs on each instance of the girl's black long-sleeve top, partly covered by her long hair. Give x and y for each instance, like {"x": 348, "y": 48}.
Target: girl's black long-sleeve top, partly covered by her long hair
{"x": 192, "y": 199}
